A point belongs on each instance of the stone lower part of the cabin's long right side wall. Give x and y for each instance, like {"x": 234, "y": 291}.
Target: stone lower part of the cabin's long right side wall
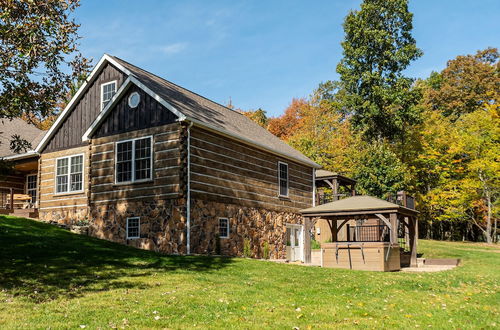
{"x": 257, "y": 225}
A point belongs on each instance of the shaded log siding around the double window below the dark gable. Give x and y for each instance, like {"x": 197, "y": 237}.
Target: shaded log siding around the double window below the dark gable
{"x": 165, "y": 183}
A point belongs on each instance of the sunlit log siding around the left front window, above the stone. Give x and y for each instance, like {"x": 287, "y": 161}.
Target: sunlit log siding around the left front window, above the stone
{"x": 48, "y": 199}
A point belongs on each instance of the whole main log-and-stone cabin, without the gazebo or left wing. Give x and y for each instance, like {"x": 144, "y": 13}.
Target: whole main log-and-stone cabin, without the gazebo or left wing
{"x": 144, "y": 162}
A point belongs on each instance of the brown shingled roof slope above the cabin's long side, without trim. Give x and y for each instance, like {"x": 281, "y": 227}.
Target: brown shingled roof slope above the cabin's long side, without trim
{"x": 199, "y": 108}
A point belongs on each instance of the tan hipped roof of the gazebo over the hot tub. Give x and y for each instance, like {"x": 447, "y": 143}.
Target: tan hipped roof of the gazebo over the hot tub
{"x": 356, "y": 205}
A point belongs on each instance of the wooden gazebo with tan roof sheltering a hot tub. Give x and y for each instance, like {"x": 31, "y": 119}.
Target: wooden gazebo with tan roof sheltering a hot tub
{"x": 377, "y": 234}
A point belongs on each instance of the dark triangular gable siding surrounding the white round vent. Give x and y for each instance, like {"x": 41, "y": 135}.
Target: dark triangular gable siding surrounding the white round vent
{"x": 149, "y": 113}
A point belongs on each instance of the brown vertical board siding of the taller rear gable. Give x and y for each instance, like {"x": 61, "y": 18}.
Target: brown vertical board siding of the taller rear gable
{"x": 69, "y": 134}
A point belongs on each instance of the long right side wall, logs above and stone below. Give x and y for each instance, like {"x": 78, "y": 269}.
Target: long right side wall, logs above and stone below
{"x": 234, "y": 181}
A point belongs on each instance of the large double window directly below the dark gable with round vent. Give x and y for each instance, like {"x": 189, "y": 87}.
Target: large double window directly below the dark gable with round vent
{"x": 133, "y": 160}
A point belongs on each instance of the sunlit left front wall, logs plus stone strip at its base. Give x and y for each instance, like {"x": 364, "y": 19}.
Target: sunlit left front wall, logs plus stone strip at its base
{"x": 64, "y": 207}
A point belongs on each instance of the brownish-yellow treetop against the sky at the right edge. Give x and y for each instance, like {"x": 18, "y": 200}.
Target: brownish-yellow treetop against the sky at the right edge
{"x": 466, "y": 84}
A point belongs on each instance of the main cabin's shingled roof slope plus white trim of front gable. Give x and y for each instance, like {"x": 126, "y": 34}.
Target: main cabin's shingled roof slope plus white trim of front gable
{"x": 203, "y": 112}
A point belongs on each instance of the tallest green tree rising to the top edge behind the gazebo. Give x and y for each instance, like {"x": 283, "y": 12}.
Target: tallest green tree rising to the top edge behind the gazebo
{"x": 377, "y": 48}
